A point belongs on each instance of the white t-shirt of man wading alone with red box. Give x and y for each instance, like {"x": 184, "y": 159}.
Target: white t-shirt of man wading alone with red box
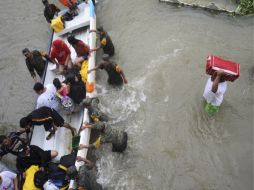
{"x": 214, "y": 98}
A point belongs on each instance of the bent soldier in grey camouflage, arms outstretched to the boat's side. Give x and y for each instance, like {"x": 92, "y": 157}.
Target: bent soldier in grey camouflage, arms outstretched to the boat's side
{"x": 117, "y": 137}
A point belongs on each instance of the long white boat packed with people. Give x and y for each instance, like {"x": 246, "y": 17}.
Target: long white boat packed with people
{"x": 61, "y": 141}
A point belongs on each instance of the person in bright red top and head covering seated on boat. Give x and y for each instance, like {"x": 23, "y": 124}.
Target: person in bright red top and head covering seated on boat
{"x": 61, "y": 52}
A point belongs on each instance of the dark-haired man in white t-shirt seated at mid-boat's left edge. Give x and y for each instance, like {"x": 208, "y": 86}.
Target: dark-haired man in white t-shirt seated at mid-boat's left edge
{"x": 47, "y": 96}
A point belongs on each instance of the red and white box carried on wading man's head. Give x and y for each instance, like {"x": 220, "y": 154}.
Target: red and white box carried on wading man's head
{"x": 215, "y": 63}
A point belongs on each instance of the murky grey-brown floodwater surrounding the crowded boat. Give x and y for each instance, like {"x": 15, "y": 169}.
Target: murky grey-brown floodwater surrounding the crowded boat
{"x": 173, "y": 144}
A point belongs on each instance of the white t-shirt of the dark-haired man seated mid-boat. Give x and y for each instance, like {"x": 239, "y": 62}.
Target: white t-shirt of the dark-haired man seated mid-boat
{"x": 48, "y": 98}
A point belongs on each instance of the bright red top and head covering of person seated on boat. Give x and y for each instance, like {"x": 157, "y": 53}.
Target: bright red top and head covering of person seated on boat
{"x": 59, "y": 51}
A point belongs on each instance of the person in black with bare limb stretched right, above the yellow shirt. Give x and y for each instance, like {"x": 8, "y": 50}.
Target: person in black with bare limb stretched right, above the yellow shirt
{"x": 34, "y": 155}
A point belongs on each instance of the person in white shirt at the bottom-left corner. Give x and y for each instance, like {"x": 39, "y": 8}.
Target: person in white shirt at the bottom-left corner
{"x": 8, "y": 180}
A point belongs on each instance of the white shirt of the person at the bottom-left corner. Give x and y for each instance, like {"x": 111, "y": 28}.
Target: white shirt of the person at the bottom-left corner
{"x": 7, "y": 180}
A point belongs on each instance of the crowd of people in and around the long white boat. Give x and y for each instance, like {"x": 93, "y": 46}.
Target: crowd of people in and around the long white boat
{"x": 55, "y": 100}
